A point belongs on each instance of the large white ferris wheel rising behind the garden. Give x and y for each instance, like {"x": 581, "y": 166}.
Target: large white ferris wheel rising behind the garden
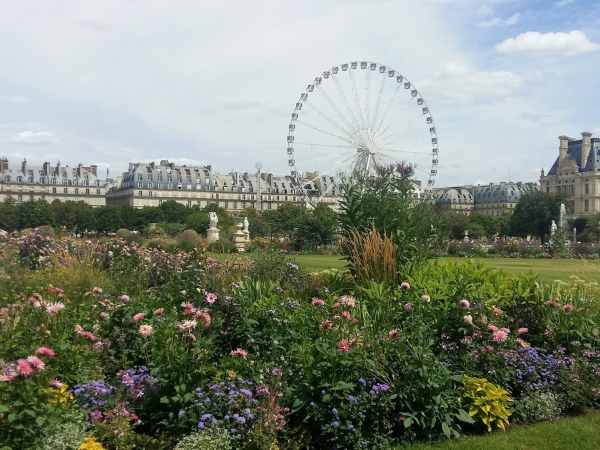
{"x": 356, "y": 116}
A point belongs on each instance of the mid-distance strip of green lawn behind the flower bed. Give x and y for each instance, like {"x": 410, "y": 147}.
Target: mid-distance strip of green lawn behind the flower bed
{"x": 548, "y": 269}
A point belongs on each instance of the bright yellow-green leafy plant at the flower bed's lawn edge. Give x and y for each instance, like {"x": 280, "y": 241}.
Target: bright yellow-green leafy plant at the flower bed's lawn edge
{"x": 485, "y": 402}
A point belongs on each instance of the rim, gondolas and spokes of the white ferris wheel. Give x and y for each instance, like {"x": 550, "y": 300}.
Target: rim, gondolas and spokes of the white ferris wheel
{"x": 349, "y": 138}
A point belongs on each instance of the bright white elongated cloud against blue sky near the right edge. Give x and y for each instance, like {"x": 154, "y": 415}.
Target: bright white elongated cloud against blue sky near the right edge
{"x": 570, "y": 43}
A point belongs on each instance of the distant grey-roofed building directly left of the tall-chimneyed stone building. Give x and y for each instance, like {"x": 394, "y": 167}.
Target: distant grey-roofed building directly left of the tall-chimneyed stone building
{"x": 498, "y": 199}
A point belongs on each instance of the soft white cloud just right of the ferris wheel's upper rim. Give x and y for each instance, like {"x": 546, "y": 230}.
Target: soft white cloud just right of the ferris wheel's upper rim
{"x": 457, "y": 83}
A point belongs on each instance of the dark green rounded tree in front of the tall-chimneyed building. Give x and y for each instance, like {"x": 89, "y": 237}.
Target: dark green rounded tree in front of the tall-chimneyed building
{"x": 534, "y": 214}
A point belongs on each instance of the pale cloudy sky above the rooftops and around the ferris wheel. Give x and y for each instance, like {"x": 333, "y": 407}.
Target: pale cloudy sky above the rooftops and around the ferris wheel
{"x": 215, "y": 82}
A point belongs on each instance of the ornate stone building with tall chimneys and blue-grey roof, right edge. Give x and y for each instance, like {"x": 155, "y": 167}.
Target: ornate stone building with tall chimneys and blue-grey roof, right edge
{"x": 576, "y": 171}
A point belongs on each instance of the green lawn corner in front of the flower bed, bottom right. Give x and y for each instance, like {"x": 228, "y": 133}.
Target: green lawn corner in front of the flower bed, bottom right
{"x": 573, "y": 434}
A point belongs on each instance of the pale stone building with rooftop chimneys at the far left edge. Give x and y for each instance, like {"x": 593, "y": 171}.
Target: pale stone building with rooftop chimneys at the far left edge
{"x": 46, "y": 182}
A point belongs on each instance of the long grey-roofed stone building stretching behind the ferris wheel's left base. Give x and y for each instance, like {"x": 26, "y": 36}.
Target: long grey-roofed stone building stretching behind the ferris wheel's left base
{"x": 151, "y": 184}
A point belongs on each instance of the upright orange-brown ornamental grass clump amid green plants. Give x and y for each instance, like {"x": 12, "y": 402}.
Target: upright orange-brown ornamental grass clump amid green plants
{"x": 371, "y": 256}
